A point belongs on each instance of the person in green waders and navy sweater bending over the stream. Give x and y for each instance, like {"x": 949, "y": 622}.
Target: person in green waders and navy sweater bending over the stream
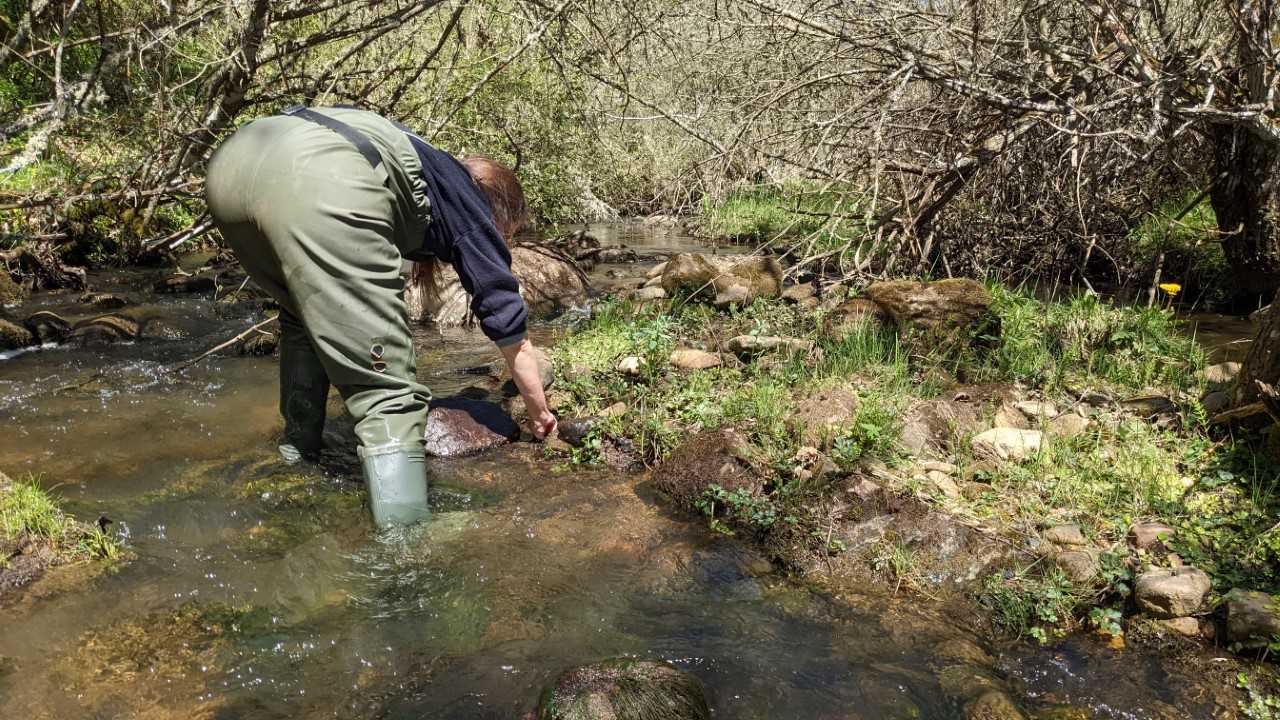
{"x": 322, "y": 207}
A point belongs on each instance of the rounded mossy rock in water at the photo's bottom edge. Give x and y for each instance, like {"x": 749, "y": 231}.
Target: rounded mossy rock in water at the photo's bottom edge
{"x": 625, "y": 690}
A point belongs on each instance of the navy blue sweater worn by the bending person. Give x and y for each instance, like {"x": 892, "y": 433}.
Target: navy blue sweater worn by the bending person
{"x": 463, "y": 234}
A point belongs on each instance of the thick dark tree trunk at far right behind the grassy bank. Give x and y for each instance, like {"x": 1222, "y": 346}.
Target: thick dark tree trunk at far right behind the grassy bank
{"x": 1247, "y": 203}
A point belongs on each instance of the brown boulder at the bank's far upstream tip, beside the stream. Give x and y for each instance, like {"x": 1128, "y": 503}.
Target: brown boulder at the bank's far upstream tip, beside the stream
{"x": 735, "y": 280}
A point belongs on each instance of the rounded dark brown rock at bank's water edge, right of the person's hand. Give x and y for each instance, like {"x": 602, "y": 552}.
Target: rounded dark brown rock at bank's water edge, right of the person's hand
{"x": 723, "y": 458}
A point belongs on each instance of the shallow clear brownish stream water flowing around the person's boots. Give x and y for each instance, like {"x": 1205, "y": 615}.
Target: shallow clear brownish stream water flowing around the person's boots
{"x": 258, "y": 591}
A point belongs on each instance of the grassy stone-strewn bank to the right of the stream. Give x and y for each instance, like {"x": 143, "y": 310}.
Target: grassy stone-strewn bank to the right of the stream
{"x": 1222, "y": 495}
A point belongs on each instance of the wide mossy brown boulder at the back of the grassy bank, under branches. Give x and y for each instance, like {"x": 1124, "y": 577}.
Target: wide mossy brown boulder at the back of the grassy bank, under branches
{"x": 932, "y": 306}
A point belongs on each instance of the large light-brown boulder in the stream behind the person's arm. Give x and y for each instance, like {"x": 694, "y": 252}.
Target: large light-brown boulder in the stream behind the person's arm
{"x": 550, "y": 281}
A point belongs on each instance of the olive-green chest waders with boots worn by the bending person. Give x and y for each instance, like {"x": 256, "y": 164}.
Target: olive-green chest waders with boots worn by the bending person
{"x": 321, "y": 230}
